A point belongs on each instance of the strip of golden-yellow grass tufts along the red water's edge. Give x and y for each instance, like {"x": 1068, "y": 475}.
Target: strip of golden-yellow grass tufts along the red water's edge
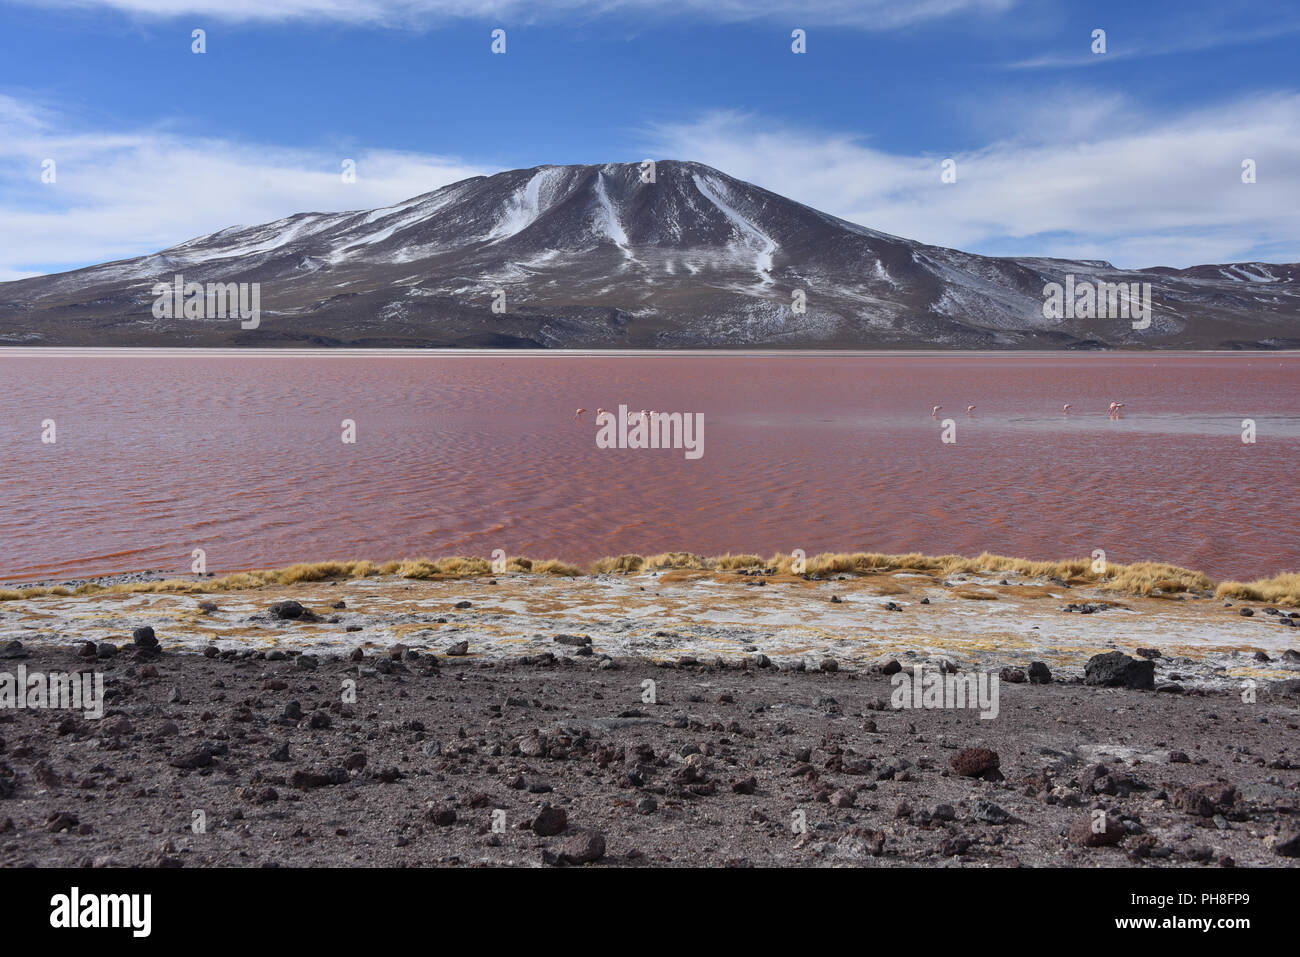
{"x": 1142, "y": 578}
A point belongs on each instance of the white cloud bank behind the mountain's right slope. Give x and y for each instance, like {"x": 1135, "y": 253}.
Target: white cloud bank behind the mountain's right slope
{"x": 1095, "y": 181}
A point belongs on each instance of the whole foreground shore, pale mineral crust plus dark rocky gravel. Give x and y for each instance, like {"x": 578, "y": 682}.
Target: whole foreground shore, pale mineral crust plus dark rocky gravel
{"x": 509, "y": 721}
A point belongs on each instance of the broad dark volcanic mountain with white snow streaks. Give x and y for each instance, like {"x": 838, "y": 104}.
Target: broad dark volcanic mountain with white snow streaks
{"x": 595, "y": 258}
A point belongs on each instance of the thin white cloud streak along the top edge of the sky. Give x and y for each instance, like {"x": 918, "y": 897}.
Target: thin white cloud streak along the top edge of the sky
{"x": 873, "y": 15}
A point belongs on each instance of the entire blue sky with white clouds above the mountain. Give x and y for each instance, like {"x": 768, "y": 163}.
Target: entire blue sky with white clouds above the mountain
{"x": 1133, "y": 155}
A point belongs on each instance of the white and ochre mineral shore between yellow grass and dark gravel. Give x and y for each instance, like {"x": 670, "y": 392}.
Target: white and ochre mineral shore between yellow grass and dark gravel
{"x": 964, "y": 617}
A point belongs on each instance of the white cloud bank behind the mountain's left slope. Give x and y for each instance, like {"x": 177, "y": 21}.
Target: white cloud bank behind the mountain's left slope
{"x": 125, "y": 194}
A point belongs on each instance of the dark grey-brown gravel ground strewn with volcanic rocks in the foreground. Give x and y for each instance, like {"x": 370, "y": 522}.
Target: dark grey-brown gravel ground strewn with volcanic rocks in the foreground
{"x": 558, "y": 760}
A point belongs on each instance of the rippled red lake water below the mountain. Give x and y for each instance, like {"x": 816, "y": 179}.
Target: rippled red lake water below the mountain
{"x": 241, "y": 456}
